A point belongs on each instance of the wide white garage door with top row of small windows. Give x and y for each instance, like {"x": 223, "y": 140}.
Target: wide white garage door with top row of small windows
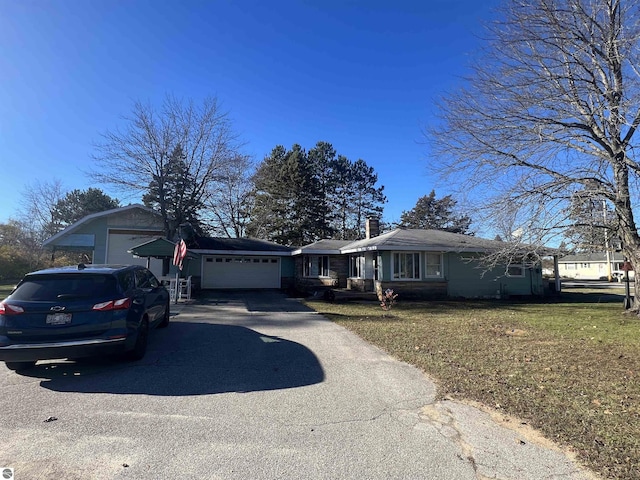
{"x": 241, "y": 272}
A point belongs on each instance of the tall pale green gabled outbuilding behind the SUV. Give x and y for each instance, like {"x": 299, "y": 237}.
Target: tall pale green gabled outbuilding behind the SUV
{"x": 110, "y": 234}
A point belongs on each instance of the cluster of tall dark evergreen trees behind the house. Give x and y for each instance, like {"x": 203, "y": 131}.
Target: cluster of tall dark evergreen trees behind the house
{"x": 303, "y": 197}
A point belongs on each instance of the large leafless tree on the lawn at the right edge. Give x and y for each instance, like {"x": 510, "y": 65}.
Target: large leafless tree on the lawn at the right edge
{"x": 551, "y": 109}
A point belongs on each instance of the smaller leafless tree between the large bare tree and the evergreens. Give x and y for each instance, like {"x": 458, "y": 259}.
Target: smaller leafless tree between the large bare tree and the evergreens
{"x": 230, "y": 198}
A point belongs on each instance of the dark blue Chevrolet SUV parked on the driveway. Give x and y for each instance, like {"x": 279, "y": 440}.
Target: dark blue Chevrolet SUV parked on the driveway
{"x": 81, "y": 311}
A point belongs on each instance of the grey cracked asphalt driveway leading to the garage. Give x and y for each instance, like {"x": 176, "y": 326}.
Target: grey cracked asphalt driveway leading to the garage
{"x": 255, "y": 386}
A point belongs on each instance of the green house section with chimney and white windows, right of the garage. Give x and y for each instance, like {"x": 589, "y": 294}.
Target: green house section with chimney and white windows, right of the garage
{"x": 419, "y": 263}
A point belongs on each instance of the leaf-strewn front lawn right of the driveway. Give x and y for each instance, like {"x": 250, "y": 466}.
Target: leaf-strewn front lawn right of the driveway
{"x": 569, "y": 369}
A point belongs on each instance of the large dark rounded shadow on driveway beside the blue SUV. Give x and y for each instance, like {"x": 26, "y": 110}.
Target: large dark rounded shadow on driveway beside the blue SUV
{"x": 191, "y": 358}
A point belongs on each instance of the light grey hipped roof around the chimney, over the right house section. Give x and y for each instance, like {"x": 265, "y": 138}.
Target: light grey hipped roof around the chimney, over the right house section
{"x": 424, "y": 240}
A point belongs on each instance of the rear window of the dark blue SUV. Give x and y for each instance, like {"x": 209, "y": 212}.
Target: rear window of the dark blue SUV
{"x": 45, "y": 288}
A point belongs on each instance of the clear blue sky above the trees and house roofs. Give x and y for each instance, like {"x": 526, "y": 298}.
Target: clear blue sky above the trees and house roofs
{"x": 361, "y": 75}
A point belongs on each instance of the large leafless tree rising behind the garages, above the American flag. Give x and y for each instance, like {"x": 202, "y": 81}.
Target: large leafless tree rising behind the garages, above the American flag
{"x": 139, "y": 155}
